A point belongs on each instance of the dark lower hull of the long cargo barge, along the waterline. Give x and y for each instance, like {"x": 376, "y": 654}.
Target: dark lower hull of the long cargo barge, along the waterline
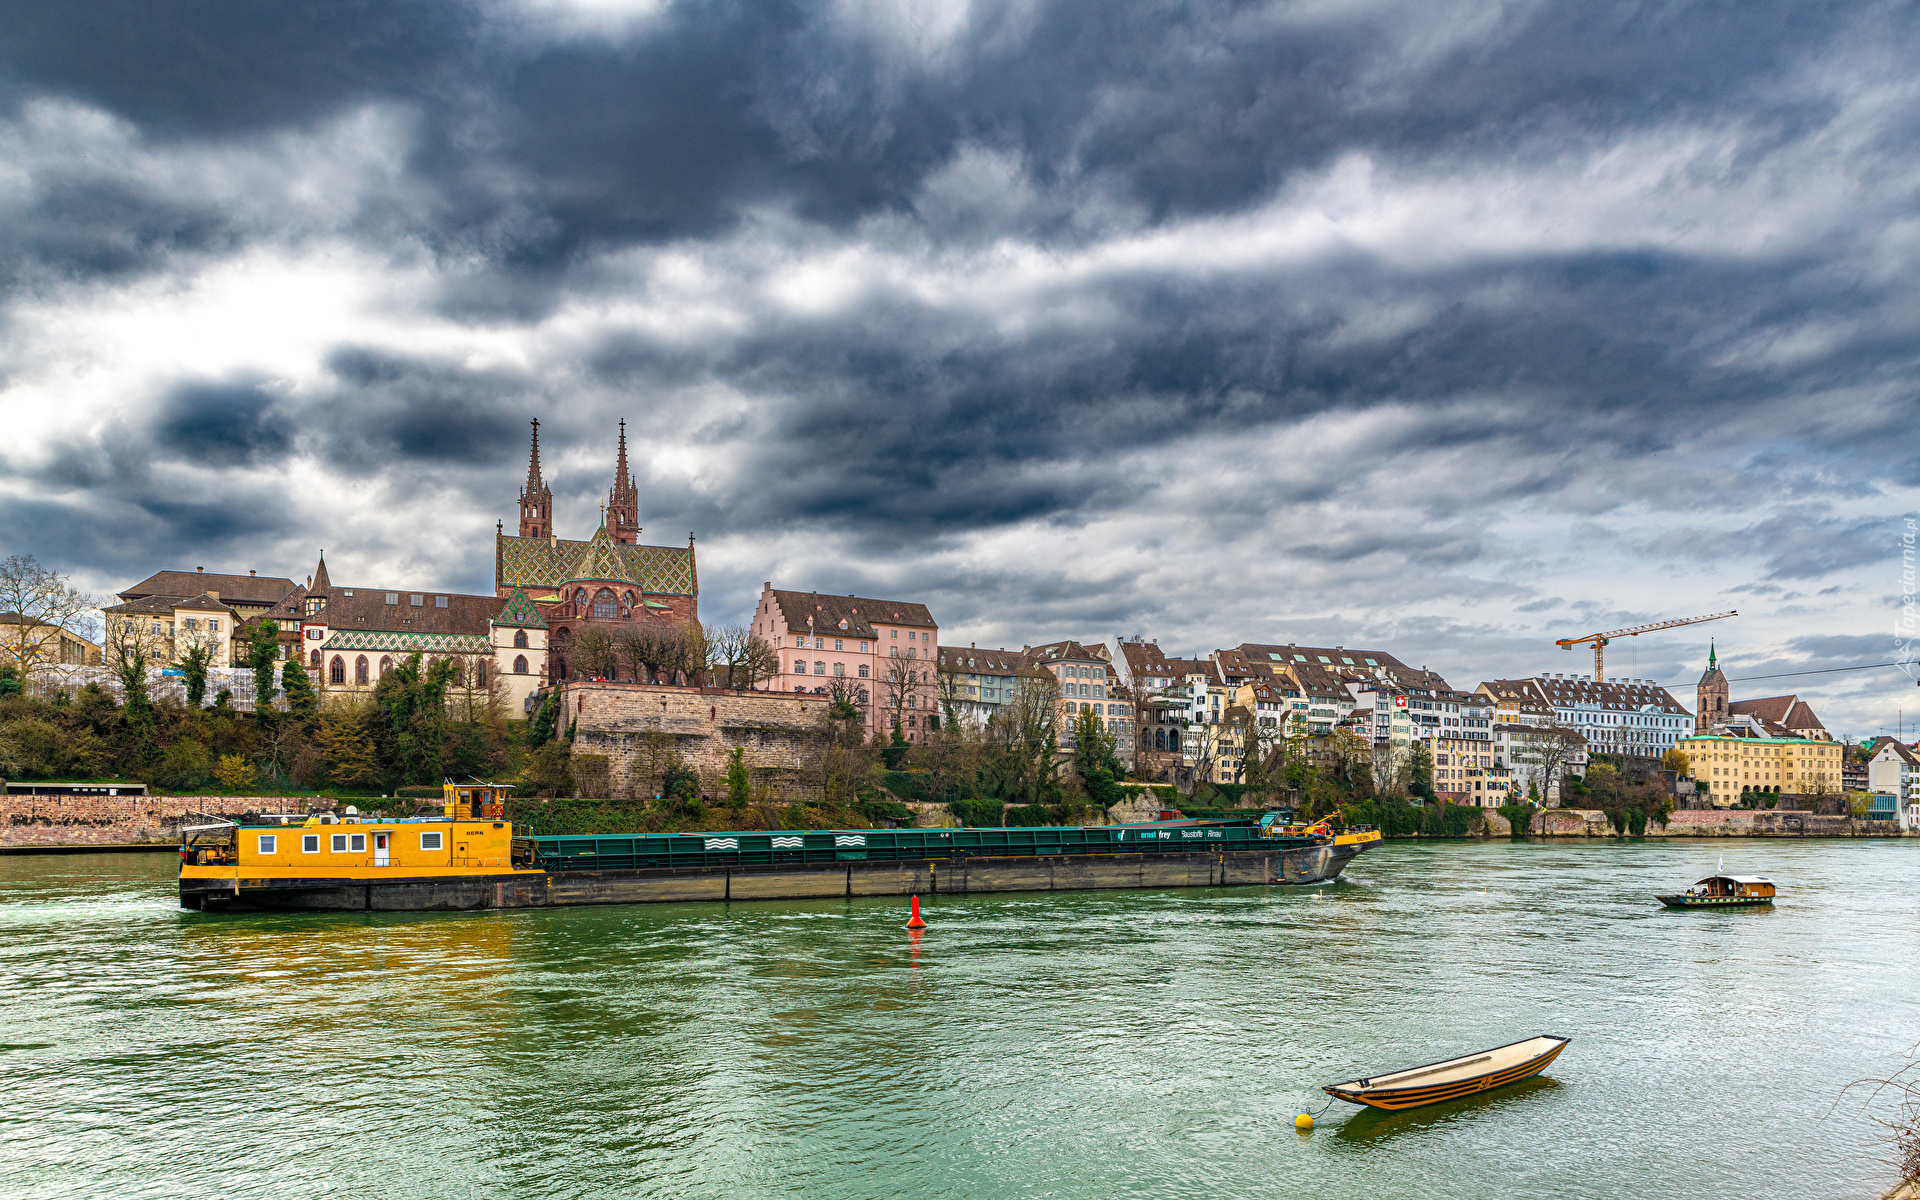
{"x": 786, "y": 882}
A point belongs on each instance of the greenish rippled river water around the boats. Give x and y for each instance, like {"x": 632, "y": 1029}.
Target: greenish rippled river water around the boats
{"x": 1149, "y": 1044}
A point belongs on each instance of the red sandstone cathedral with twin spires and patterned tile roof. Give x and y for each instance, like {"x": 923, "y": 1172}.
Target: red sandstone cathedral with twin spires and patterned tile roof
{"x": 610, "y": 583}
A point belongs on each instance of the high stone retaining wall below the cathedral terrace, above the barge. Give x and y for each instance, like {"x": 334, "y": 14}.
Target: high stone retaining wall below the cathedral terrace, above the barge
{"x": 629, "y": 734}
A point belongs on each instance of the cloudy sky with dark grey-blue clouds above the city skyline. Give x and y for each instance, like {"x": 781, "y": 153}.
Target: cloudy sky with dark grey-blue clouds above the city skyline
{"x": 1447, "y": 327}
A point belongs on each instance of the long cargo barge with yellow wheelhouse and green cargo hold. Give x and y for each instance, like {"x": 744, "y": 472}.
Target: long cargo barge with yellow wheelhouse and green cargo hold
{"x": 469, "y": 857}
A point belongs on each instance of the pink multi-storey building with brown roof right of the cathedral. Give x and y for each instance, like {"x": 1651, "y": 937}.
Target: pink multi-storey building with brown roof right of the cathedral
{"x": 882, "y": 656}
